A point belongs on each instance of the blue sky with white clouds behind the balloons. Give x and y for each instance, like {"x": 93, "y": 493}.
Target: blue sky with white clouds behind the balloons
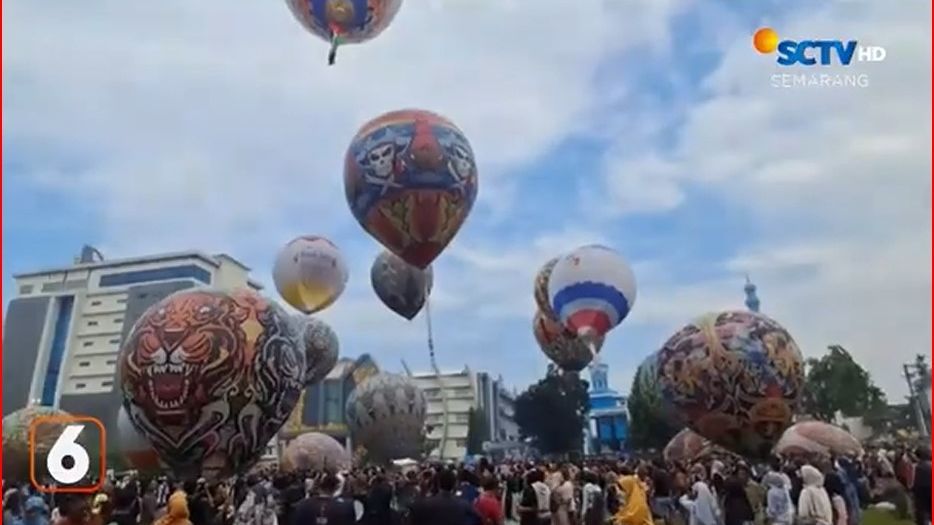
{"x": 650, "y": 126}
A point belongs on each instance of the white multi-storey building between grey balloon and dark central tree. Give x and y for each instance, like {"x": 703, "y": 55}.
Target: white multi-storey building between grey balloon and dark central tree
{"x": 465, "y": 391}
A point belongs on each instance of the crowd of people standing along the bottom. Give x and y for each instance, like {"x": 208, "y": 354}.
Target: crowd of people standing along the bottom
{"x": 714, "y": 491}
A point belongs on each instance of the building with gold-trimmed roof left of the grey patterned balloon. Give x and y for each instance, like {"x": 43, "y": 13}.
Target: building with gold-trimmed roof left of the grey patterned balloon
{"x": 321, "y": 407}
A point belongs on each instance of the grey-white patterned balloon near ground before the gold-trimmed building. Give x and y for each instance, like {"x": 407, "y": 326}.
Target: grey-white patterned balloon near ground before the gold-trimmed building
{"x": 386, "y": 415}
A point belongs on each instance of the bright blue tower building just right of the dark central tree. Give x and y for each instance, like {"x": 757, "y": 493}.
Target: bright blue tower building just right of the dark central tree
{"x": 609, "y": 419}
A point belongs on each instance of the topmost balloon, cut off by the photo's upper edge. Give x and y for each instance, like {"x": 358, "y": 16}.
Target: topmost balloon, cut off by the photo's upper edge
{"x": 344, "y": 21}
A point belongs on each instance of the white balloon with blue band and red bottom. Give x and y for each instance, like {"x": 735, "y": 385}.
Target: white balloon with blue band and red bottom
{"x": 592, "y": 290}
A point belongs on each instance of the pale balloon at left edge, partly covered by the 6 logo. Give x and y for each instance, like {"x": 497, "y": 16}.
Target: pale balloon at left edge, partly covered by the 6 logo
{"x": 16, "y": 438}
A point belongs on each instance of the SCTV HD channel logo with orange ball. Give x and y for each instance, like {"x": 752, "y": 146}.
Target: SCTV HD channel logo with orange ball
{"x": 814, "y": 52}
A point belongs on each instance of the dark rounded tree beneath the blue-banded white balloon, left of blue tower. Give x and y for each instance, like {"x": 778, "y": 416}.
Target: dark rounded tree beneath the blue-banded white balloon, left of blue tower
{"x": 553, "y": 412}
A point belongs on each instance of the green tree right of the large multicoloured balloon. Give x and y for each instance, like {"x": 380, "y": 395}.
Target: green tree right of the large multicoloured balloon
{"x": 837, "y": 383}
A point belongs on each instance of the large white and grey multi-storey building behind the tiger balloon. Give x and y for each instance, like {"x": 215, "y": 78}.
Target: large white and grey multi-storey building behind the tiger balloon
{"x": 63, "y": 331}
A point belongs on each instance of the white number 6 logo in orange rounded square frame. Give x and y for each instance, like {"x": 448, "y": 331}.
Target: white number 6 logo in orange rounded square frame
{"x": 50, "y": 460}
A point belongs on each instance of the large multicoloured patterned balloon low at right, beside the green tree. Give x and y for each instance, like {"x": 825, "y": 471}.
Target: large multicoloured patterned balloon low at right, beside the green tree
{"x": 736, "y": 377}
